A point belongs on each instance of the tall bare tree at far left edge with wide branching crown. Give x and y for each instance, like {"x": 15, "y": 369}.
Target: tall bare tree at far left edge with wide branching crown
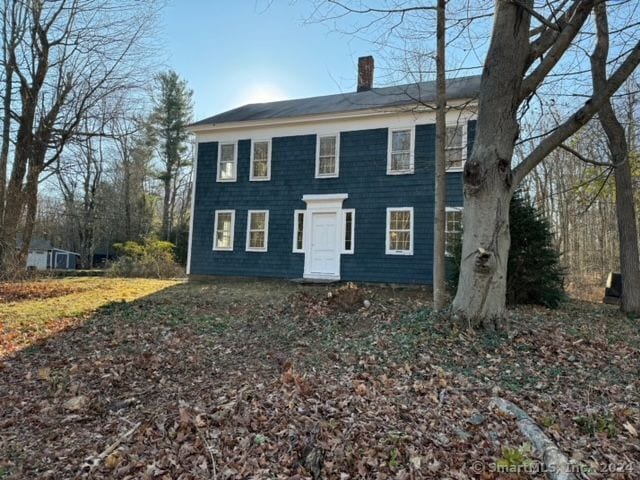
{"x": 61, "y": 59}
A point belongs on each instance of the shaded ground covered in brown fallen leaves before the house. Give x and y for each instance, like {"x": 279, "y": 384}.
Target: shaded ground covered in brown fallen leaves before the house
{"x": 248, "y": 379}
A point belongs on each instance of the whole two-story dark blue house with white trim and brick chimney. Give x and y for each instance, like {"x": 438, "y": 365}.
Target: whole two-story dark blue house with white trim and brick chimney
{"x": 338, "y": 187}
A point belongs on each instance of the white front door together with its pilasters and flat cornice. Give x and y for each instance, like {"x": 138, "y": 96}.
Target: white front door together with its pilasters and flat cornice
{"x": 323, "y": 235}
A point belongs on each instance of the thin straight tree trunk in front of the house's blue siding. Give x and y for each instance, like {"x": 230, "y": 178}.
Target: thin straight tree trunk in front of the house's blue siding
{"x": 439, "y": 284}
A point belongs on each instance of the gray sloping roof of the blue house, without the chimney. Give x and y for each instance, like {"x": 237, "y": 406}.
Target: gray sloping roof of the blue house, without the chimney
{"x": 376, "y": 98}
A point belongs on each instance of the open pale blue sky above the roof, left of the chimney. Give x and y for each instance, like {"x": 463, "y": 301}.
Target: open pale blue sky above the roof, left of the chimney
{"x": 233, "y": 52}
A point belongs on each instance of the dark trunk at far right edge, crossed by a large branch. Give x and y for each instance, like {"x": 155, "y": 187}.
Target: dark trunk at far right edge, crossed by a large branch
{"x": 618, "y": 147}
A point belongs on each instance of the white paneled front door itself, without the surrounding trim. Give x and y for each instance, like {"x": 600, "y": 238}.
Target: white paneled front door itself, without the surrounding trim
{"x": 324, "y": 261}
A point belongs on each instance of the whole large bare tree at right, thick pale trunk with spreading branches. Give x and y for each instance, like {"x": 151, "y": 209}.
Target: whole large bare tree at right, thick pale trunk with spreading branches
{"x": 535, "y": 49}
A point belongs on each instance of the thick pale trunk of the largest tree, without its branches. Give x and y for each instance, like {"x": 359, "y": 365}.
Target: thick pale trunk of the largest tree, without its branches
{"x": 488, "y": 188}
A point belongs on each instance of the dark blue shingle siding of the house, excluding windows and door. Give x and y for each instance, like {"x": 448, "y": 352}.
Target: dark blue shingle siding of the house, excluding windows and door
{"x": 363, "y": 163}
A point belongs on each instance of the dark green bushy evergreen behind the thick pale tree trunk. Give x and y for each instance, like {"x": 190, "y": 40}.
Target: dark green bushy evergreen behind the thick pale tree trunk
{"x": 534, "y": 272}
